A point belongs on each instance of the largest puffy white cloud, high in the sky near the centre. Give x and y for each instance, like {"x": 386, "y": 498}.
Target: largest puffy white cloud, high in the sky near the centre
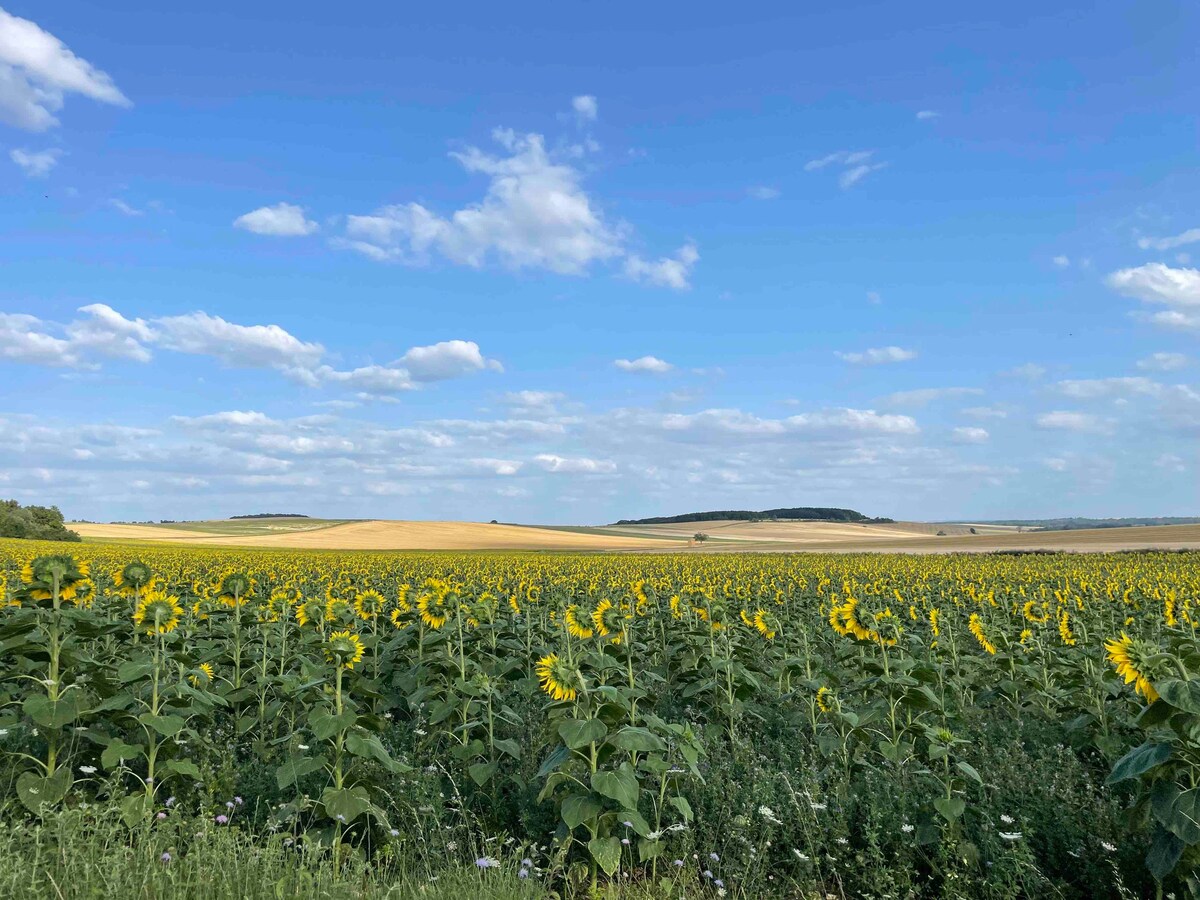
{"x": 535, "y": 215}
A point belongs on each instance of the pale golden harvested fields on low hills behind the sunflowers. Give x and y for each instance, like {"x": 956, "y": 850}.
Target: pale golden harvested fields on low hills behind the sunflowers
{"x": 724, "y": 537}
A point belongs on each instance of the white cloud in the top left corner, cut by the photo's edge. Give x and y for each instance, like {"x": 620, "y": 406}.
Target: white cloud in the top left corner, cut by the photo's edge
{"x": 37, "y": 74}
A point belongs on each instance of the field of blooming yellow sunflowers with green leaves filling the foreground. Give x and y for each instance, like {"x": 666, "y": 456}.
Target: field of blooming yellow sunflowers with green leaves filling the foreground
{"x": 803, "y": 725}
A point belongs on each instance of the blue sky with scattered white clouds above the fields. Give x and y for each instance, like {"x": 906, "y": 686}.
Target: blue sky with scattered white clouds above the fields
{"x": 555, "y": 263}
